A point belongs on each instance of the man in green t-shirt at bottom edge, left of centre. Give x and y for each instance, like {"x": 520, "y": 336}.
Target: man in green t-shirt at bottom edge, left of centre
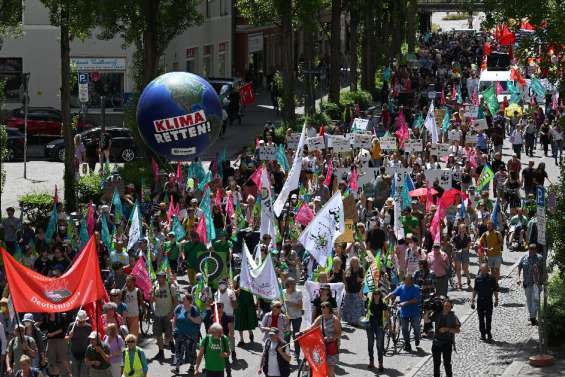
{"x": 215, "y": 349}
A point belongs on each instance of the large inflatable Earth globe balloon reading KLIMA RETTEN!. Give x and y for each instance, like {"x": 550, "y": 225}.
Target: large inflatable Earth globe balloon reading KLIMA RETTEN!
{"x": 179, "y": 115}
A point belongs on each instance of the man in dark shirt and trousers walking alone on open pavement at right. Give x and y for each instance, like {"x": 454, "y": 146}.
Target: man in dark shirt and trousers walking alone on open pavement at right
{"x": 485, "y": 288}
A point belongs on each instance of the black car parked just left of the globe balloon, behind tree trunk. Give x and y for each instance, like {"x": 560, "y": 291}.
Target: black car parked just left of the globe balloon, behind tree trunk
{"x": 123, "y": 145}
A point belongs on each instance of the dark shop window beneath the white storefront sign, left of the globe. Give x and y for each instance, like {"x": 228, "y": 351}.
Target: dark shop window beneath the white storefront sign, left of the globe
{"x": 107, "y": 84}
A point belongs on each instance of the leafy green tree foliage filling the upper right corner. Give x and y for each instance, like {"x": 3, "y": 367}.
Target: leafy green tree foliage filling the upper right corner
{"x": 548, "y": 22}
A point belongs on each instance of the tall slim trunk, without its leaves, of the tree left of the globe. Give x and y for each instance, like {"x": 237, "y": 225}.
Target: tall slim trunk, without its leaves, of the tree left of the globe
{"x": 69, "y": 175}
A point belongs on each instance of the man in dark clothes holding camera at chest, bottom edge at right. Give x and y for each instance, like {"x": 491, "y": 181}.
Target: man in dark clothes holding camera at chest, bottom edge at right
{"x": 446, "y": 326}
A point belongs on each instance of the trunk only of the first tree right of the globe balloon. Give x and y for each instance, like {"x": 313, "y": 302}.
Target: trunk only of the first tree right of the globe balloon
{"x": 285, "y": 11}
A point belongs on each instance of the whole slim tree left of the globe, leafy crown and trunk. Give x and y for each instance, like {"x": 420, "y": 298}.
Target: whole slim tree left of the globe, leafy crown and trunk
{"x": 75, "y": 18}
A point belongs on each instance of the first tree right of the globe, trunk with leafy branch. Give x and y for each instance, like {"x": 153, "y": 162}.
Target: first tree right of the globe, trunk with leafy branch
{"x": 280, "y": 13}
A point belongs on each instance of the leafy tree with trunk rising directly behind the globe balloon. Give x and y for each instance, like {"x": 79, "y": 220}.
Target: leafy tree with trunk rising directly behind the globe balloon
{"x": 149, "y": 25}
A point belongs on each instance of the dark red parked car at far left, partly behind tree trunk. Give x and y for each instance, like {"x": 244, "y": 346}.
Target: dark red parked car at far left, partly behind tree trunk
{"x": 41, "y": 121}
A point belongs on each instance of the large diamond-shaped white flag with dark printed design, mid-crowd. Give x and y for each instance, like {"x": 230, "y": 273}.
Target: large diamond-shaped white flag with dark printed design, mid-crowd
{"x": 319, "y": 236}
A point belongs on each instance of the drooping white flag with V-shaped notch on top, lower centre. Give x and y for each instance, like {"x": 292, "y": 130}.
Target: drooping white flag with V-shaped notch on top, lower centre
{"x": 260, "y": 280}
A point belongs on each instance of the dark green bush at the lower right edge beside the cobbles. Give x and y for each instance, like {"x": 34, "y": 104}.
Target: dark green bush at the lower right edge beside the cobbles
{"x": 556, "y": 311}
